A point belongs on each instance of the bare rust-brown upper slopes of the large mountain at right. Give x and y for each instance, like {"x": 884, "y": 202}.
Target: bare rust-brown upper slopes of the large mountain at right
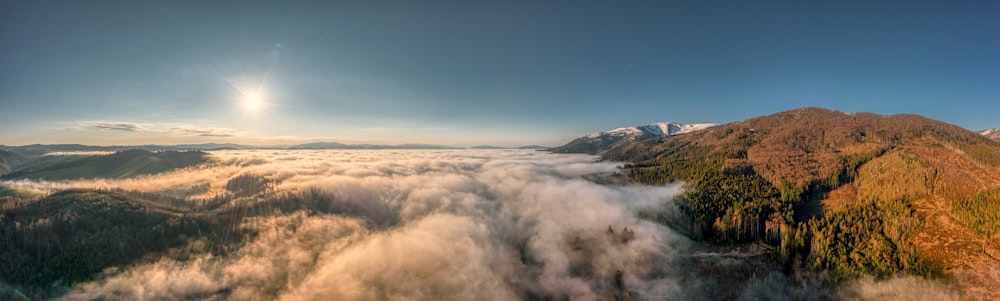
{"x": 808, "y": 144}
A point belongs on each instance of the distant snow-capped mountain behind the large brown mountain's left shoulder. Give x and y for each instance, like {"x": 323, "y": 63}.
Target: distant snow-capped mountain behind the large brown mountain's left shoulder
{"x": 599, "y": 143}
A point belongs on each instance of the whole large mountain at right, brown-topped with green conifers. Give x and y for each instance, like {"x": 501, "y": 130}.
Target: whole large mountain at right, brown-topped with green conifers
{"x": 848, "y": 193}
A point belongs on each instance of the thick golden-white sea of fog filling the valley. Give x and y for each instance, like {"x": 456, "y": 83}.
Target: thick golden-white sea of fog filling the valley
{"x": 463, "y": 225}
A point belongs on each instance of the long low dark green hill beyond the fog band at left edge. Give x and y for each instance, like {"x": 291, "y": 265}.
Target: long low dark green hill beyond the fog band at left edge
{"x": 123, "y": 164}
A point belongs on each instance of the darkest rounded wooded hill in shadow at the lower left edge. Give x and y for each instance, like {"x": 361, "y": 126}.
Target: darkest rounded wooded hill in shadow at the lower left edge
{"x": 71, "y": 235}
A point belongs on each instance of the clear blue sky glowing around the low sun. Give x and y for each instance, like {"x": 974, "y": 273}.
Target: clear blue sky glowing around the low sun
{"x": 476, "y": 72}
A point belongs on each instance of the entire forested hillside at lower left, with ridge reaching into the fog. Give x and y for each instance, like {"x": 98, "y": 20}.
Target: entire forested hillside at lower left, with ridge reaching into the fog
{"x": 51, "y": 243}
